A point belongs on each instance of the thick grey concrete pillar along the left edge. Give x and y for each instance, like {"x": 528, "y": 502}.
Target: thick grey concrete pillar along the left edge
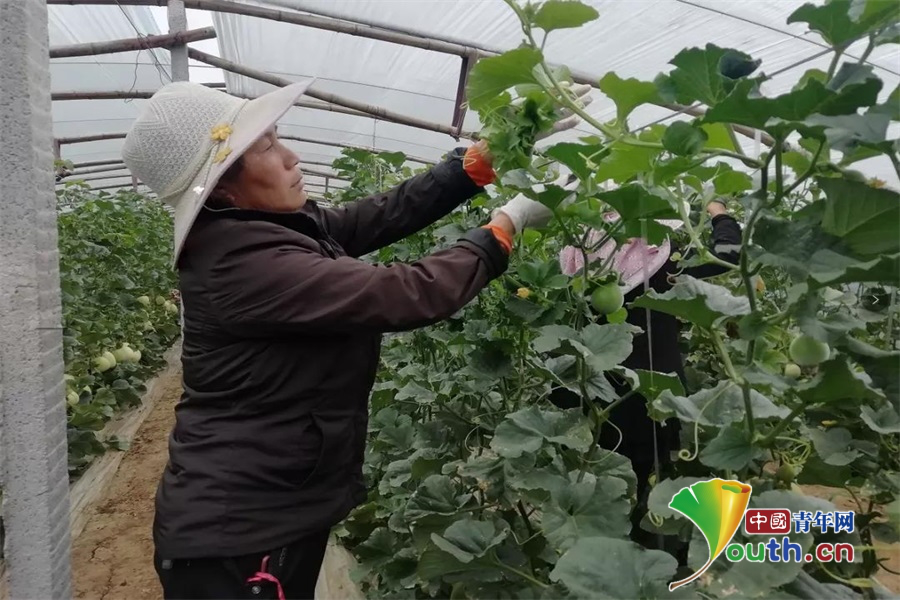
{"x": 32, "y": 406}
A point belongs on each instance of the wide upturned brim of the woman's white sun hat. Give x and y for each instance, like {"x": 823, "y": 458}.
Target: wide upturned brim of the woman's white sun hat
{"x": 257, "y": 116}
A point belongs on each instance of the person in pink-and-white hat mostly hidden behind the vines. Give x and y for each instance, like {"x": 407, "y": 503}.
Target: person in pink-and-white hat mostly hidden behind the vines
{"x": 656, "y": 348}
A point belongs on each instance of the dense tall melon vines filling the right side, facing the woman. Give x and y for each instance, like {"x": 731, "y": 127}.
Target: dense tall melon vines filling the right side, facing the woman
{"x": 480, "y": 488}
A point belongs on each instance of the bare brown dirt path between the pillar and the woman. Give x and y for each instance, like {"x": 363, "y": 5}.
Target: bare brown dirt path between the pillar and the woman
{"x": 112, "y": 559}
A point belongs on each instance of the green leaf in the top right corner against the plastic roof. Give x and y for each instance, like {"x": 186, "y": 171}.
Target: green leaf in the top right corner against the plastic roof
{"x": 834, "y": 23}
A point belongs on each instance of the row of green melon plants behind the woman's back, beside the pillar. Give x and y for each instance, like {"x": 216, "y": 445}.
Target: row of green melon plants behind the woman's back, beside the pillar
{"x": 119, "y": 314}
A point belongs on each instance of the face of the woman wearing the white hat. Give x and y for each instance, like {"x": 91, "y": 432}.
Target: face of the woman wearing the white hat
{"x": 269, "y": 178}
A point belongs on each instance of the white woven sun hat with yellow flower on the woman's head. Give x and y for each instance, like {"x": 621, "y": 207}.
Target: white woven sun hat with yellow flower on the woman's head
{"x": 188, "y": 135}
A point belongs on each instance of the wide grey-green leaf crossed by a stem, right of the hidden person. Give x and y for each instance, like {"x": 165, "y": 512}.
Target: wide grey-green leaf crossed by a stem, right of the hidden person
{"x": 718, "y": 406}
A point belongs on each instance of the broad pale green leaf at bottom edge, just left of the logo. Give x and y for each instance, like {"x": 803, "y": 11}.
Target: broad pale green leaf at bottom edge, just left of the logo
{"x": 598, "y": 567}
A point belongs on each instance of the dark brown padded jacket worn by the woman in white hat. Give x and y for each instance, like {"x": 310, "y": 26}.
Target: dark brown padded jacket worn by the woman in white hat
{"x": 282, "y": 332}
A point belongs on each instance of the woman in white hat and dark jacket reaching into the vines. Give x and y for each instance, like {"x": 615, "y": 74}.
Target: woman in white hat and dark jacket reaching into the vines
{"x": 282, "y": 329}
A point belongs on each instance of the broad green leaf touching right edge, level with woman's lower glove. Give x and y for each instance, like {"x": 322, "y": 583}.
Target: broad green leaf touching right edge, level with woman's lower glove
{"x": 866, "y": 218}
